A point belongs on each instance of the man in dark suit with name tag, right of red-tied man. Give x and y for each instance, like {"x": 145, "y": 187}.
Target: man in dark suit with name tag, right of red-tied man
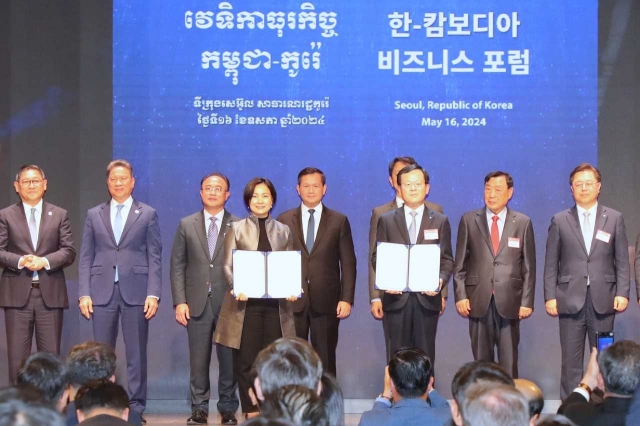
{"x": 586, "y": 271}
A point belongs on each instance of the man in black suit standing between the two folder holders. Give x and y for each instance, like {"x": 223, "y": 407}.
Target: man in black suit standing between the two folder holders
{"x": 328, "y": 266}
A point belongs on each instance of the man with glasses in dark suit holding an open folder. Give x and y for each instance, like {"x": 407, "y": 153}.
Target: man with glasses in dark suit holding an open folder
{"x": 412, "y": 318}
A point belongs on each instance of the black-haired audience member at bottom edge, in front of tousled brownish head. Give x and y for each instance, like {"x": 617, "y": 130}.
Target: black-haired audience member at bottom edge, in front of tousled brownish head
{"x": 102, "y": 402}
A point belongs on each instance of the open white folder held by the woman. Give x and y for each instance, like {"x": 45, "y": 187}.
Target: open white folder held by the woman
{"x": 272, "y": 274}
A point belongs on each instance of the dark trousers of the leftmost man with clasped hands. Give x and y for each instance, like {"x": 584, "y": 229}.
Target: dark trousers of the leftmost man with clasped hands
{"x": 20, "y": 324}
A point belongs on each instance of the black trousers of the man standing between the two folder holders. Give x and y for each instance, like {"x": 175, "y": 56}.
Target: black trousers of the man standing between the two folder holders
{"x": 323, "y": 330}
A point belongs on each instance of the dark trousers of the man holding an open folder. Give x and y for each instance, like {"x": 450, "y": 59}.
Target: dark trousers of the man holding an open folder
{"x": 413, "y": 325}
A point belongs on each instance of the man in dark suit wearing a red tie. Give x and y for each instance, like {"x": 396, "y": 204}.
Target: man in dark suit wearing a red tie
{"x": 495, "y": 273}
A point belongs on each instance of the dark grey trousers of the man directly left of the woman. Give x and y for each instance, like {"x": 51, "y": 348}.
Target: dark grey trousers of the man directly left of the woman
{"x": 200, "y": 331}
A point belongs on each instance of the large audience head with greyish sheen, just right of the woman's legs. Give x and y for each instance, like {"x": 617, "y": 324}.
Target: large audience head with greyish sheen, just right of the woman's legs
{"x": 287, "y": 361}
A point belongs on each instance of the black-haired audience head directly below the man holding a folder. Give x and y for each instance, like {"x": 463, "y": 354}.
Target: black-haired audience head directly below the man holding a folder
{"x": 410, "y": 372}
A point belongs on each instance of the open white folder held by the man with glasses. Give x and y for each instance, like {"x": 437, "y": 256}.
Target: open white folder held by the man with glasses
{"x": 401, "y": 267}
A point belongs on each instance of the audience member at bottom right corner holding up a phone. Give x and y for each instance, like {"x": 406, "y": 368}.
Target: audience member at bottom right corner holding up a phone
{"x": 616, "y": 371}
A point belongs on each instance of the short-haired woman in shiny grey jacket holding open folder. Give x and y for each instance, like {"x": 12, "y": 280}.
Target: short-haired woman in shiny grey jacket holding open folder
{"x": 249, "y": 325}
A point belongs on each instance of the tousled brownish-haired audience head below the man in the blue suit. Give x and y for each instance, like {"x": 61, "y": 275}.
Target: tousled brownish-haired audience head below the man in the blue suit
{"x": 90, "y": 361}
